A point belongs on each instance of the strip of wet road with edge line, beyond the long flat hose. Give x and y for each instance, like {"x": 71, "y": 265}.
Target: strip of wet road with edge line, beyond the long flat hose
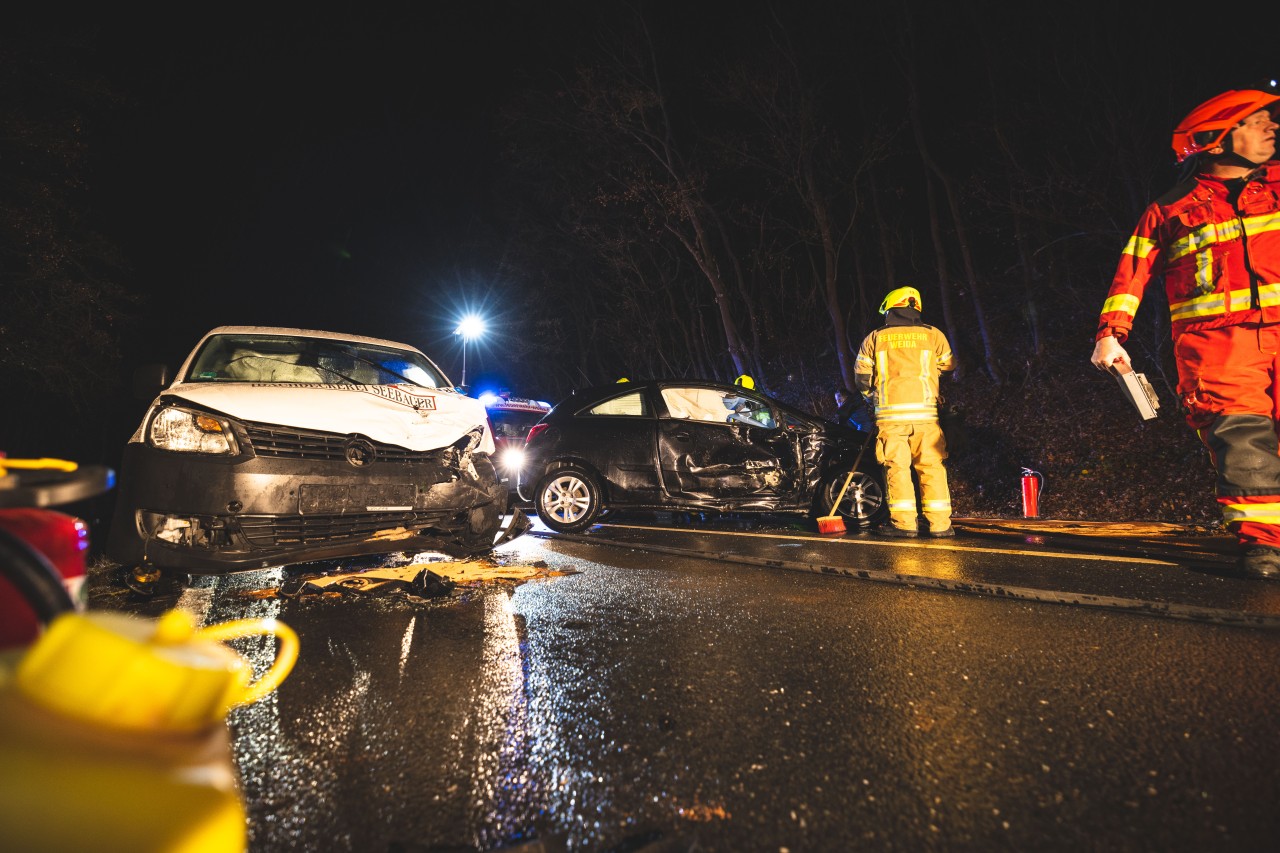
{"x": 1110, "y": 567}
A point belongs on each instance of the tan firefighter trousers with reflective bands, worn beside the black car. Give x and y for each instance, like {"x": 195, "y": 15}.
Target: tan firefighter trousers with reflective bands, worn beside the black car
{"x": 903, "y": 448}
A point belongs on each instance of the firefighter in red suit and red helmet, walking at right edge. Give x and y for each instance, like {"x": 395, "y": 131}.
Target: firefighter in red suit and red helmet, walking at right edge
{"x": 1215, "y": 239}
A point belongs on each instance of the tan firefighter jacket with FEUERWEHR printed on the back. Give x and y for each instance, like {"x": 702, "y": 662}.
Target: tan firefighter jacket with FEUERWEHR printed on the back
{"x": 898, "y": 371}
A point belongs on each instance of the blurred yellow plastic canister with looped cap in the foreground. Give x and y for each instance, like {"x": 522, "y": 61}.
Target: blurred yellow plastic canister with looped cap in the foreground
{"x": 113, "y": 735}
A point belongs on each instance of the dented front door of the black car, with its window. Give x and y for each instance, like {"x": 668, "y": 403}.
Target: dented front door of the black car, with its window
{"x": 721, "y": 446}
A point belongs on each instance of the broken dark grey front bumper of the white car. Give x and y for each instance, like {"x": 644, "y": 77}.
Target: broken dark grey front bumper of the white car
{"x": 216, "y": 516}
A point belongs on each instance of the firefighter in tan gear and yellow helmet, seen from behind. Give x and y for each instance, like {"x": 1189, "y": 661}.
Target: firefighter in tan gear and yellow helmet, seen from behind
{"x": 898, "y": 371}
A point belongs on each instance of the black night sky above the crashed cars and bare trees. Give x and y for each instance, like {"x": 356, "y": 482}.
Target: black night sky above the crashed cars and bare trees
{"x": 333, "y": 167}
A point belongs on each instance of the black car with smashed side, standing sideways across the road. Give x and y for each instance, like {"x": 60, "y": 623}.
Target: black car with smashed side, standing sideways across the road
{"x": 694, "y": 446}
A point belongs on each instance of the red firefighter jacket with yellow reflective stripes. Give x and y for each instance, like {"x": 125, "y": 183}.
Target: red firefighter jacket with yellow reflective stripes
{"x": 1220, "y": 258}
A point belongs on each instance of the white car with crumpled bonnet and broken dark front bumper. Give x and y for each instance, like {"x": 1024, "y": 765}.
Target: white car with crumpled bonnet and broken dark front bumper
{"x": 277, "y": 446}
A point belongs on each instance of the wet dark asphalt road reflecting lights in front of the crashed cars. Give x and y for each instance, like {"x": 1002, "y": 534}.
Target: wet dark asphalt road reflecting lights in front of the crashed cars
{"x": 664, "y": 703}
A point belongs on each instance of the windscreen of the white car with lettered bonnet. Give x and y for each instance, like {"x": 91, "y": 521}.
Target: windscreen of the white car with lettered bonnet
{"x": 276, "y": 358}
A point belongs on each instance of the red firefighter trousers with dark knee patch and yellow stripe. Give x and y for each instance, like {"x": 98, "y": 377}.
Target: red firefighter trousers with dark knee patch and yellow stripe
{"x": 1229, "y": 382}
